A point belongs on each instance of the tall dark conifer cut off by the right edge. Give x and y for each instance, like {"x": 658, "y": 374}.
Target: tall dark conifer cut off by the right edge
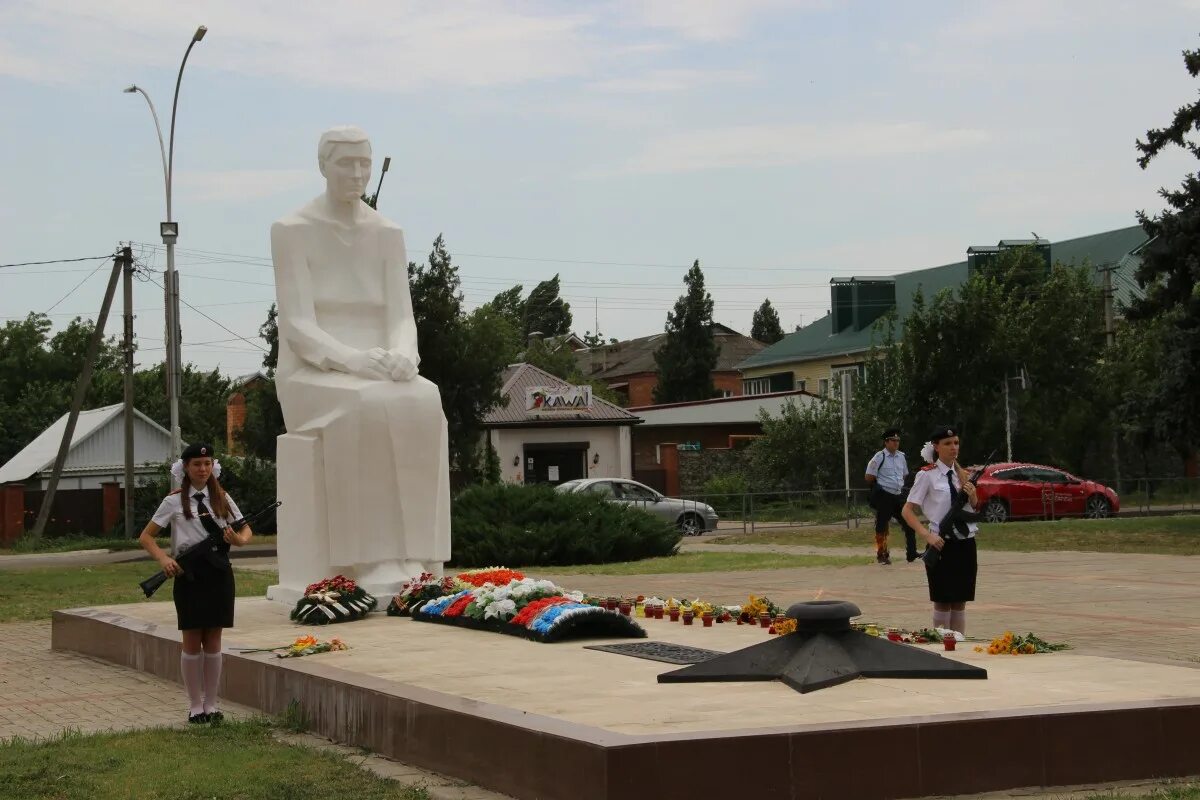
{"x": 1171, "y": 275}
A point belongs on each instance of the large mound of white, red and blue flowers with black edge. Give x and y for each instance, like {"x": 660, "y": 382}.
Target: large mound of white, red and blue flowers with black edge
{"x": 536, "y": 610}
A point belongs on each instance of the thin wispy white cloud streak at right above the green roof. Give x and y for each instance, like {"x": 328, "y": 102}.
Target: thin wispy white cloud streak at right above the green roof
{"x": 783, "y": 146}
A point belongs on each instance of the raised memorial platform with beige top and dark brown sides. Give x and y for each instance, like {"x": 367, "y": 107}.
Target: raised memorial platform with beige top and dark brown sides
{"x": 563, "y": 721}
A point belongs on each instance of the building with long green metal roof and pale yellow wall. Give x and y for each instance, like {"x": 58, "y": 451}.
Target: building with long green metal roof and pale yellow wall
{"x": 817, "y": 354}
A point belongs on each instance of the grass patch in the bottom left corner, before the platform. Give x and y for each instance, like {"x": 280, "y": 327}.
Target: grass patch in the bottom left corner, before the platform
{"x": 238, "y": 761}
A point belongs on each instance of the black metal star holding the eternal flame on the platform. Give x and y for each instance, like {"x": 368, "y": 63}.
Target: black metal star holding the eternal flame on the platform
{"x": 824, "y": 652}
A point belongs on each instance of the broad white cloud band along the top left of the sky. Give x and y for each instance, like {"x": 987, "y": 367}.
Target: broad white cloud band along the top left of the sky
{"x": 375, "y": 46}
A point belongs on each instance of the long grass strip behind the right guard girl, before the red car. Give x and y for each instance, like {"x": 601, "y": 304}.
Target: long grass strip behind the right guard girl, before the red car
{"x": 1166, "y": 536}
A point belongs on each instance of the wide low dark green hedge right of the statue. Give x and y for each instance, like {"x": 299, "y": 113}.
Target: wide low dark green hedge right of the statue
{"x": 536, "y": 526}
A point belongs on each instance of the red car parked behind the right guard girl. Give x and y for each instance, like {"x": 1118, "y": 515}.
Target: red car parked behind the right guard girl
{"x": 1022, "y": 491}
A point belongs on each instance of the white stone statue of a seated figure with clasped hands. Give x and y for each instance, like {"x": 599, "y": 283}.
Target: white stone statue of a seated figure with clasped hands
{"x": 363, "y": 470}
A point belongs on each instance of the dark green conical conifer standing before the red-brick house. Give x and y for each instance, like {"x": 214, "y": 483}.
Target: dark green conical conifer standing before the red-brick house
{"x": 689, "y": 353}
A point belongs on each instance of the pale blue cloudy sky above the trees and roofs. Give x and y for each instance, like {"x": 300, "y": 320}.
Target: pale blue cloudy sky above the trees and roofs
{"x": 614, "y": 143}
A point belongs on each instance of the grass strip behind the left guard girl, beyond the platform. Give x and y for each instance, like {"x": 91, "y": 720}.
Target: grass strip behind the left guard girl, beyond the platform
{"x": 35, "y": 593}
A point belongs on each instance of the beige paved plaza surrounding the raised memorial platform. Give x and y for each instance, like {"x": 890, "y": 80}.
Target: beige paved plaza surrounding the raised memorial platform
{"x": 1136, "y": 607}
